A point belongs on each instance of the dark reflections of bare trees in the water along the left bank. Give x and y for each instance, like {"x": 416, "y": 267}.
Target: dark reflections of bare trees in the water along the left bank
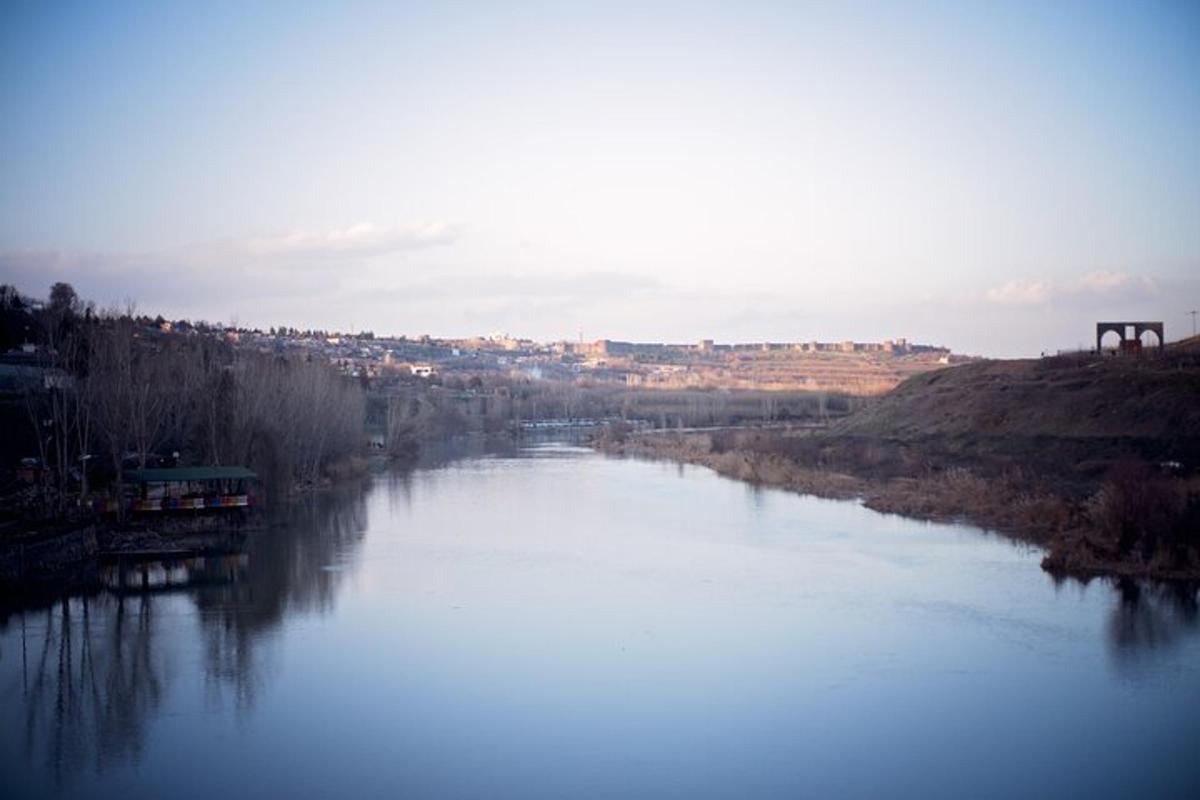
{"x": 95, "y": 670}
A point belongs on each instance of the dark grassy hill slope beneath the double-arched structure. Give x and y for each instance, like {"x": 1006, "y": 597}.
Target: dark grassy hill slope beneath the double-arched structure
{"x": 1147, "y": 398}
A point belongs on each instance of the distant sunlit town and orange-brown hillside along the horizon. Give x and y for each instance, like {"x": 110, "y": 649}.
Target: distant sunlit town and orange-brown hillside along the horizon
{"x": 857, "y": 369}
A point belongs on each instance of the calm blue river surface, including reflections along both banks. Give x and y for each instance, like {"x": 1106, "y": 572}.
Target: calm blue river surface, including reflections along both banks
{"x": 556, "y": 624}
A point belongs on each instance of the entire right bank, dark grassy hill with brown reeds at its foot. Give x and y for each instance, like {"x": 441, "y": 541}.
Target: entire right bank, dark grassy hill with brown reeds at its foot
{"x": 1009, "y": 447}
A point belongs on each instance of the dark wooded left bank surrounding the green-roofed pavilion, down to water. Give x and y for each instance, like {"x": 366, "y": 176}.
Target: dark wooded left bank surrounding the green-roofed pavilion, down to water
{"x": 89, "y": 398}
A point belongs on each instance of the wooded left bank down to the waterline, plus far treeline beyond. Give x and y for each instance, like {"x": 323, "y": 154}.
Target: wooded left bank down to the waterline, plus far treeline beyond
{"x": 89, "y": 396}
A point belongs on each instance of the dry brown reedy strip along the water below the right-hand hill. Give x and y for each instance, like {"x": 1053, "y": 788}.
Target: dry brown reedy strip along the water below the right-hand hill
{"x": 1081, "y": 533}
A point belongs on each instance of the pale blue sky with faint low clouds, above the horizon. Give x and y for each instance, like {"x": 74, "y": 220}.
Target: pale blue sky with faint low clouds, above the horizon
{"x": 994, "y": 178}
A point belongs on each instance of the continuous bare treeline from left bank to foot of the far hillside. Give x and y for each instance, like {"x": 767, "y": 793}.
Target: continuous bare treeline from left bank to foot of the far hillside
{"x": 98, "y": 394}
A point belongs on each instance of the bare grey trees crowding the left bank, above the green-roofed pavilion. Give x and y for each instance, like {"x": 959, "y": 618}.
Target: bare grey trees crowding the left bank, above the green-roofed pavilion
{"x": 109, "y": 386}
